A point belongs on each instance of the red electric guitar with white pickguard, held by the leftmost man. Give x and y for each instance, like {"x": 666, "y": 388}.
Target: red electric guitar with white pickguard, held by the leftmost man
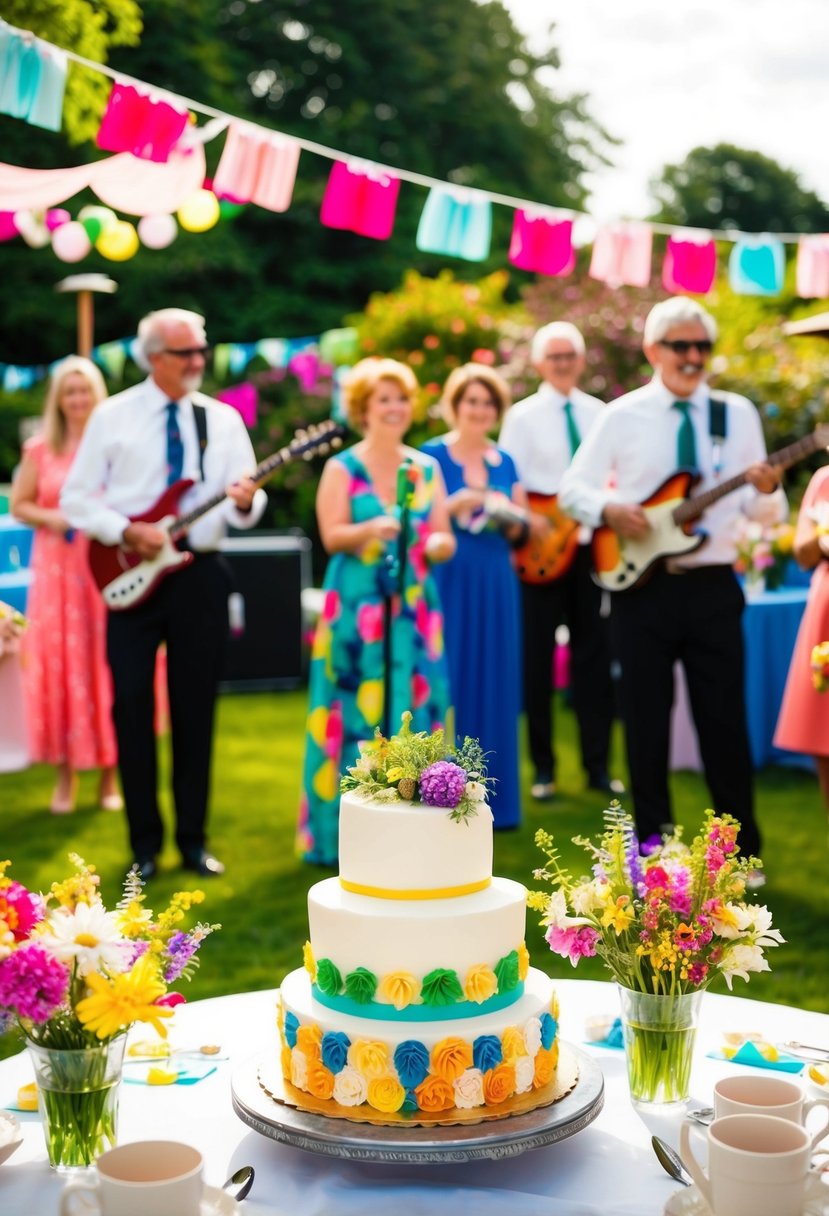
{"x": 126, "y": 579}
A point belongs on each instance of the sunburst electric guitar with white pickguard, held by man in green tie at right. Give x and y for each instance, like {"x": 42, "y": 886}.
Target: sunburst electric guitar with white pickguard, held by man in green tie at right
{"x": 622, "y": 564}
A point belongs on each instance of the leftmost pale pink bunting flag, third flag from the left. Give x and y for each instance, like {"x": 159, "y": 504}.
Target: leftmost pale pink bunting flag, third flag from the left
{"x": 258, "y": 167}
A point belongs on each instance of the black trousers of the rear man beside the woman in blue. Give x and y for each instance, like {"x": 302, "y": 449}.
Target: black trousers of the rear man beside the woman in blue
{"x": 576, "y": 601}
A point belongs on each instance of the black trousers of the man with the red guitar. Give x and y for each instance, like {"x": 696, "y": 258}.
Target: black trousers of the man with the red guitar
{"x": 189, "y": 612}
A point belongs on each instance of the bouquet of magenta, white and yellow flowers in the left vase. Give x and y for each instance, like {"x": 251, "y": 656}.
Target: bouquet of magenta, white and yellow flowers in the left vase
{"x": 74, "y": 975}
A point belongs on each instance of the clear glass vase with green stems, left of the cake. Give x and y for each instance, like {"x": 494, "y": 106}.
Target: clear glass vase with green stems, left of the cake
{"x": 78, "y": 1100}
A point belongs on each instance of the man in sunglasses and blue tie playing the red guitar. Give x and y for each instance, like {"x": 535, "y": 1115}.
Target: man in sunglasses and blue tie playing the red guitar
{"x": 143, "y": 442}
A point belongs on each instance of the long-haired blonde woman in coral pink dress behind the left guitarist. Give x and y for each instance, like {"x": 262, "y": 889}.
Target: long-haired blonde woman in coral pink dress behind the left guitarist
{"x": 67, "y": 683}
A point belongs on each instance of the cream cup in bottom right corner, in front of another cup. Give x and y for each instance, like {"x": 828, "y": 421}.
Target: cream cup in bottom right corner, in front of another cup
{"x": 759, "y": 1166}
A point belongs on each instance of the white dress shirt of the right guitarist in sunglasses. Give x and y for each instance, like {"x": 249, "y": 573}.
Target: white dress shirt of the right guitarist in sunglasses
{"x": 633, "y": 451}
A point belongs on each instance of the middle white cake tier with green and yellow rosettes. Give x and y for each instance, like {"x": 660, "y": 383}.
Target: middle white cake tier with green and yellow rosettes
{"x": 428, "y": 953}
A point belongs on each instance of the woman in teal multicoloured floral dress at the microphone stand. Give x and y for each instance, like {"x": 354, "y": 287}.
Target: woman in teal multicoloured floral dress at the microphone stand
{"x": 381, "y": 629}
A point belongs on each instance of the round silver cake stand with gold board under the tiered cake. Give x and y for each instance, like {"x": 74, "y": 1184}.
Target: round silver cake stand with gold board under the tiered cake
{"x": 264, "y": 1101}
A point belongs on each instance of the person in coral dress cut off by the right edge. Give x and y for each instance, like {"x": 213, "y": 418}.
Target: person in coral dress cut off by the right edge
{"x": 804, "y": 722}
